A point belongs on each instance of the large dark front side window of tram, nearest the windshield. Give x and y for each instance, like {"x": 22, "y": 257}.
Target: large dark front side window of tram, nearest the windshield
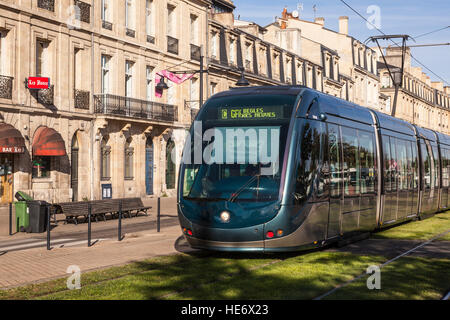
{"x": 309, "y": 181}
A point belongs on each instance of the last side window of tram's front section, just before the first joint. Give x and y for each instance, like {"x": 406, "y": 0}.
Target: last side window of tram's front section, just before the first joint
{"x": 367, "y": 161}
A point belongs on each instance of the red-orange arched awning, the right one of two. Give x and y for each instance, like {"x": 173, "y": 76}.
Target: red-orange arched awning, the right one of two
{"x": 48, "y": 142}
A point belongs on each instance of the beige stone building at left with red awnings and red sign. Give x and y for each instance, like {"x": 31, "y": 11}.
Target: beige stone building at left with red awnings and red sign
{"x": 99, "y": 130}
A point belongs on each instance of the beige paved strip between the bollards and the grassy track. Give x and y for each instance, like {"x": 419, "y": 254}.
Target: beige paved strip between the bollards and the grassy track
{"x": 36, "y": 265}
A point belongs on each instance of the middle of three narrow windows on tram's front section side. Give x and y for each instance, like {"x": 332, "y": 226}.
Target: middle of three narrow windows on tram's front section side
{"x": 351, "y": 162}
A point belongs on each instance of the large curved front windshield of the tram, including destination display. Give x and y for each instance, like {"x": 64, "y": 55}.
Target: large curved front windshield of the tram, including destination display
{"x": 236, "y": 148}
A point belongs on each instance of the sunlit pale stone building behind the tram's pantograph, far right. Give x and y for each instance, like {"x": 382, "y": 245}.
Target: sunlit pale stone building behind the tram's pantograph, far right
{"x": 420, "y": 100}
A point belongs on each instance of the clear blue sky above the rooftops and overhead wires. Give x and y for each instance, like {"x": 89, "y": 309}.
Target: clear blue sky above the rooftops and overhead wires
{"x": 411, "y": 17}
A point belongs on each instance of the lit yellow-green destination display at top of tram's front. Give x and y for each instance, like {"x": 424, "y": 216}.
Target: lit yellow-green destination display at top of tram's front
{"x": 251, "y": 113}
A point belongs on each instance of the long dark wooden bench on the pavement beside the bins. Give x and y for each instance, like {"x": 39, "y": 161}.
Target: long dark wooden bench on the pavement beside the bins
{"x": 100, "y": 208}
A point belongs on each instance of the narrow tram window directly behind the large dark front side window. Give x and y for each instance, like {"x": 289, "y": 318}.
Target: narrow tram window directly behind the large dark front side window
{"x": 334, "y": 147}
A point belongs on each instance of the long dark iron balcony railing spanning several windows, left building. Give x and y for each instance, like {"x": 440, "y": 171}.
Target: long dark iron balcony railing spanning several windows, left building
{"x": 134, "y": 108}
